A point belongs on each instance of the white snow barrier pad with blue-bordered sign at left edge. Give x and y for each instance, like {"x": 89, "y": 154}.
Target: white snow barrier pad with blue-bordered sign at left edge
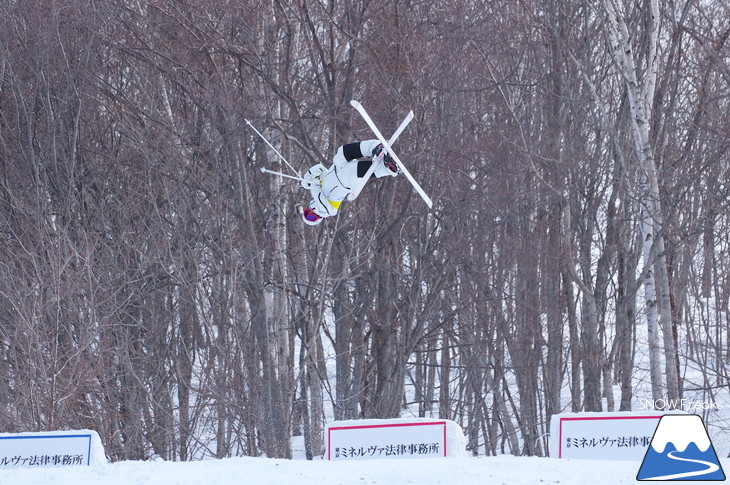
{"x": 51, "y": 449}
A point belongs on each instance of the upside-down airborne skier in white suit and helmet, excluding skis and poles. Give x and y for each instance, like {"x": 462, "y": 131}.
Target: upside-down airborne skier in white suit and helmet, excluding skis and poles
{"x": 329, "y": 187}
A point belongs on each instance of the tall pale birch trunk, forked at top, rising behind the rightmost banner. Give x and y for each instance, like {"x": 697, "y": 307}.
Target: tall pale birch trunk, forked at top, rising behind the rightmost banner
{"x": 641, "y": 86}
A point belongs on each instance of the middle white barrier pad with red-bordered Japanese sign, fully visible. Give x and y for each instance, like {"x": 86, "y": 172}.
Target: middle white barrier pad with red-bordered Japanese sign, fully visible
{"x": 364, "y": 439}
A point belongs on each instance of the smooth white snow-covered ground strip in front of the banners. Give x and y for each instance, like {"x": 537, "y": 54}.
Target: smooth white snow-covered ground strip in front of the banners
{"x": 263, "y": 471}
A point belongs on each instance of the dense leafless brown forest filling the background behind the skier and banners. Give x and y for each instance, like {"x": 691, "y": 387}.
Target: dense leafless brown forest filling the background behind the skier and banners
{"x": 156, "y": 287}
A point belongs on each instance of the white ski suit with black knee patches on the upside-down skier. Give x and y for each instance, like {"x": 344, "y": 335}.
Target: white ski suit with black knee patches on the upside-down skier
{"x": 329, "y": 187}
